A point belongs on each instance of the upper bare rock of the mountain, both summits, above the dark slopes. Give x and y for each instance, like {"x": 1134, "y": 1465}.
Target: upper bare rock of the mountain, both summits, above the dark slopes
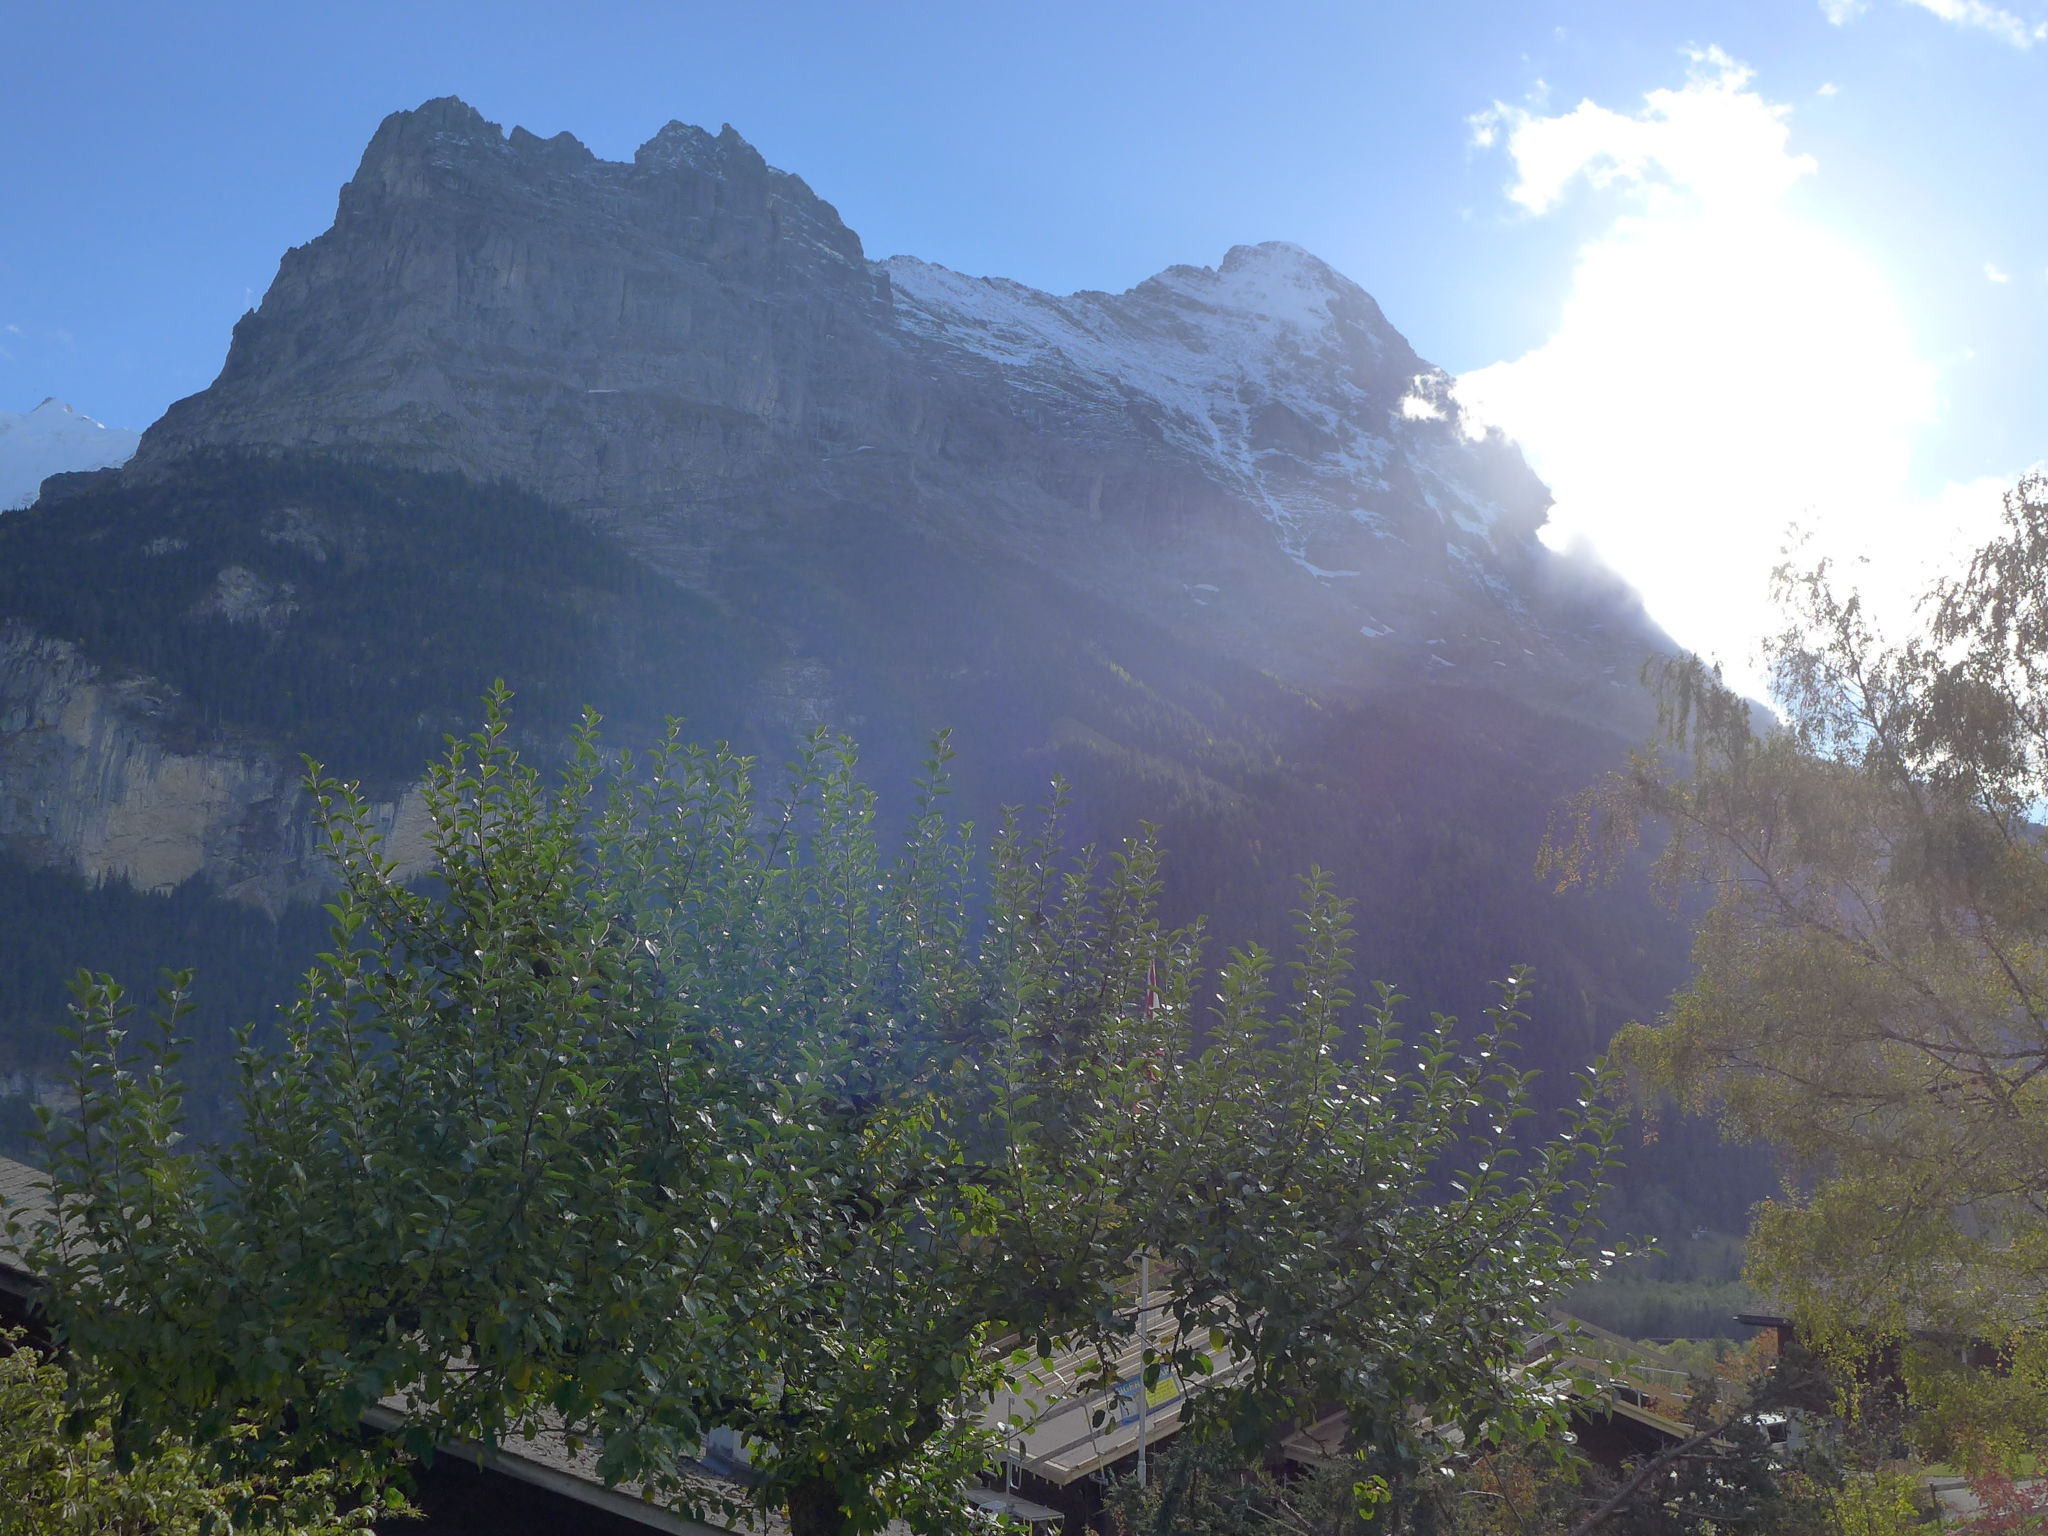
{"x": 693, "y": 351}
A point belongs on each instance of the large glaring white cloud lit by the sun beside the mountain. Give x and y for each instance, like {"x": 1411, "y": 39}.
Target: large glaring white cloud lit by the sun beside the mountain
{"x": 1721, "y": 372}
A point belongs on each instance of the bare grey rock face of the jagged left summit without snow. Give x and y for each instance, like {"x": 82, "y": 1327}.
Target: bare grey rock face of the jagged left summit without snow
{"x": 624, "y": 339}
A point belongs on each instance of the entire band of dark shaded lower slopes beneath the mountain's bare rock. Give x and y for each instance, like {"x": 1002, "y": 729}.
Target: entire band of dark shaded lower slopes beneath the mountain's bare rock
{"x": 378, "y": 605}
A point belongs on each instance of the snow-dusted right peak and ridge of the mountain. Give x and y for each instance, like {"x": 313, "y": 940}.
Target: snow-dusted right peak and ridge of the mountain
{"x": 1273, "y": 370}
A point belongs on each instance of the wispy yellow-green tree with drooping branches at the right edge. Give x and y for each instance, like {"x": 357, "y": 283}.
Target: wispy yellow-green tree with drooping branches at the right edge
{"x": 1871, "y": 988}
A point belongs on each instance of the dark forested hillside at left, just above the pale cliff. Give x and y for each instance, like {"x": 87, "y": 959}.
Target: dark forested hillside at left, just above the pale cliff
{"x": 357, "y": 613}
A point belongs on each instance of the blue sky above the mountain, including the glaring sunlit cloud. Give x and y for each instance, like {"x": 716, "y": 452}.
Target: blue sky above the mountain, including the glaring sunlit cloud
{"x": 1838, "y": 206}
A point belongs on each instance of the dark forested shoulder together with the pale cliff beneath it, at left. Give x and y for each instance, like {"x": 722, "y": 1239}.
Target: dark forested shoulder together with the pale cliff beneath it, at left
{"x": 171, "y": 650}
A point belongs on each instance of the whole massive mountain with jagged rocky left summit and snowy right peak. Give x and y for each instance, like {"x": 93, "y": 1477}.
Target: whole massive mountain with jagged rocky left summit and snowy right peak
{"x": 660, "y": 437}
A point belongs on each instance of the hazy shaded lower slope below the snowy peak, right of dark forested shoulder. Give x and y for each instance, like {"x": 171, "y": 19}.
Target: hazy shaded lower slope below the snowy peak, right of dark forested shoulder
{"x": 1426, "y": 802}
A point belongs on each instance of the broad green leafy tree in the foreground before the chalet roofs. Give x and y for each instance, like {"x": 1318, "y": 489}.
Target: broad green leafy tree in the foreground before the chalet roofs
{"x": 673, "y": 1107}
